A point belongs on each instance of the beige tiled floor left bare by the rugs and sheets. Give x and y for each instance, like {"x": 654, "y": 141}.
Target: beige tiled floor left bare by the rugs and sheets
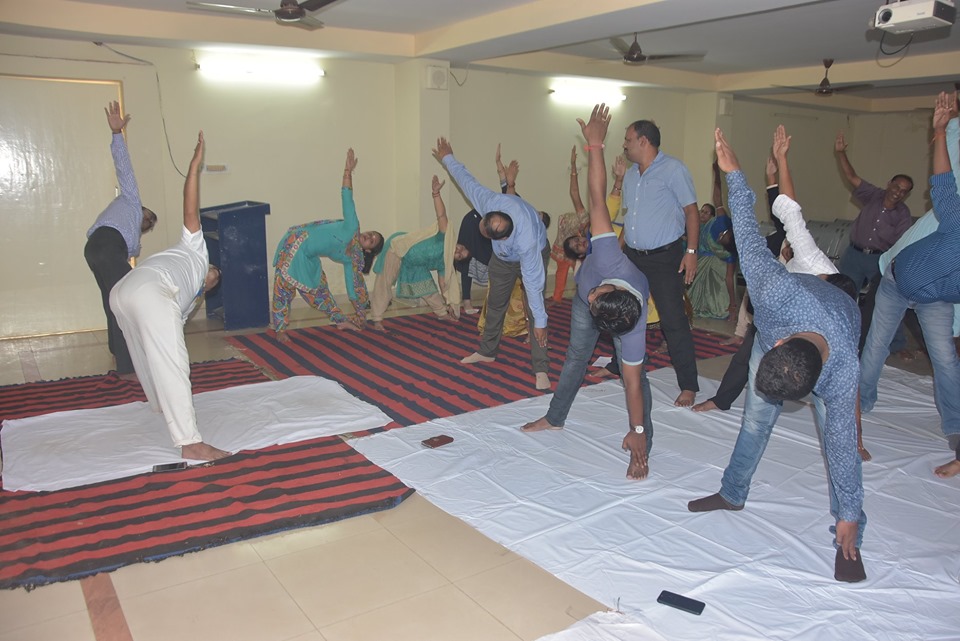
{"x": 410, "y": 573}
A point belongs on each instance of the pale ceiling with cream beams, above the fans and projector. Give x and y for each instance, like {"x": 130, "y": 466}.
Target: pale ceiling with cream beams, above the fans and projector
{"x": 751, "y": 45}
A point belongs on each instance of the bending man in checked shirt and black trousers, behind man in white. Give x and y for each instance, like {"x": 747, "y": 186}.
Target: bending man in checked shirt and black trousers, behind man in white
{"x": 115, "y": 236}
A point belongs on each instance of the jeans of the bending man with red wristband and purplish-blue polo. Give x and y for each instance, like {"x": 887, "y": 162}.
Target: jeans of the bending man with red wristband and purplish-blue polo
{"x": 583, "y": 340}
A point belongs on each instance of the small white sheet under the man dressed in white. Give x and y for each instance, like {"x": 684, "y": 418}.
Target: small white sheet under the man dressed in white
{"x": 67, "y": 449}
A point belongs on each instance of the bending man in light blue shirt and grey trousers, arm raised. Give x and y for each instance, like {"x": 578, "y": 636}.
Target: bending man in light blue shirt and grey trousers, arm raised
{"x": 520, "y": 250}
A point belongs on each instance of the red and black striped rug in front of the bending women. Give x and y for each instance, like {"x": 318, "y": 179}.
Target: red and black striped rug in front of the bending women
{"x": 413, "y": 372}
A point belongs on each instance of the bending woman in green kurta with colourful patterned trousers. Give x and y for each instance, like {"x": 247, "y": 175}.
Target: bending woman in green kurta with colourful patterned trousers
{"x": 297, "y": 266}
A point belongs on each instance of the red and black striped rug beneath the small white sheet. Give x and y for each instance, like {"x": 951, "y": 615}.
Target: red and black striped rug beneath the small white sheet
{"x": 47, "y": 537}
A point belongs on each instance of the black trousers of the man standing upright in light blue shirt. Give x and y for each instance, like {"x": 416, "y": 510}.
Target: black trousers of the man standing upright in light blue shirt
{"x": 666, "y": 288}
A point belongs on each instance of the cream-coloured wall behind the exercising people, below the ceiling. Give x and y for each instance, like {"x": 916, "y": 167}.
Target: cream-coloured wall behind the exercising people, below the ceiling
{"x": 285, "y": 146}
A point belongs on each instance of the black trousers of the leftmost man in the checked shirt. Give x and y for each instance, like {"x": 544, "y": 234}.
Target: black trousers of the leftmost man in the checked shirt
{"x": 106, "y": 254}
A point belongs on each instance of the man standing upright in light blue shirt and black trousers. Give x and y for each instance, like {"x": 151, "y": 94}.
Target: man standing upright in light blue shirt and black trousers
{"x": 661, "y": 212}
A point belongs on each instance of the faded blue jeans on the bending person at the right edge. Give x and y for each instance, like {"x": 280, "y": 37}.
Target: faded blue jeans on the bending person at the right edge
{"x": 936, "y": 320}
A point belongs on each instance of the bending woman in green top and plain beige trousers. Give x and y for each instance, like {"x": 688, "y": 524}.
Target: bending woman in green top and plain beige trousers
{"x": 409, "y": 260}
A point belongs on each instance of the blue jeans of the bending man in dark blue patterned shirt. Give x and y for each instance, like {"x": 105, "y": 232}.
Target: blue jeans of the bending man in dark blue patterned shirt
{"x": 759, "y": 417}
